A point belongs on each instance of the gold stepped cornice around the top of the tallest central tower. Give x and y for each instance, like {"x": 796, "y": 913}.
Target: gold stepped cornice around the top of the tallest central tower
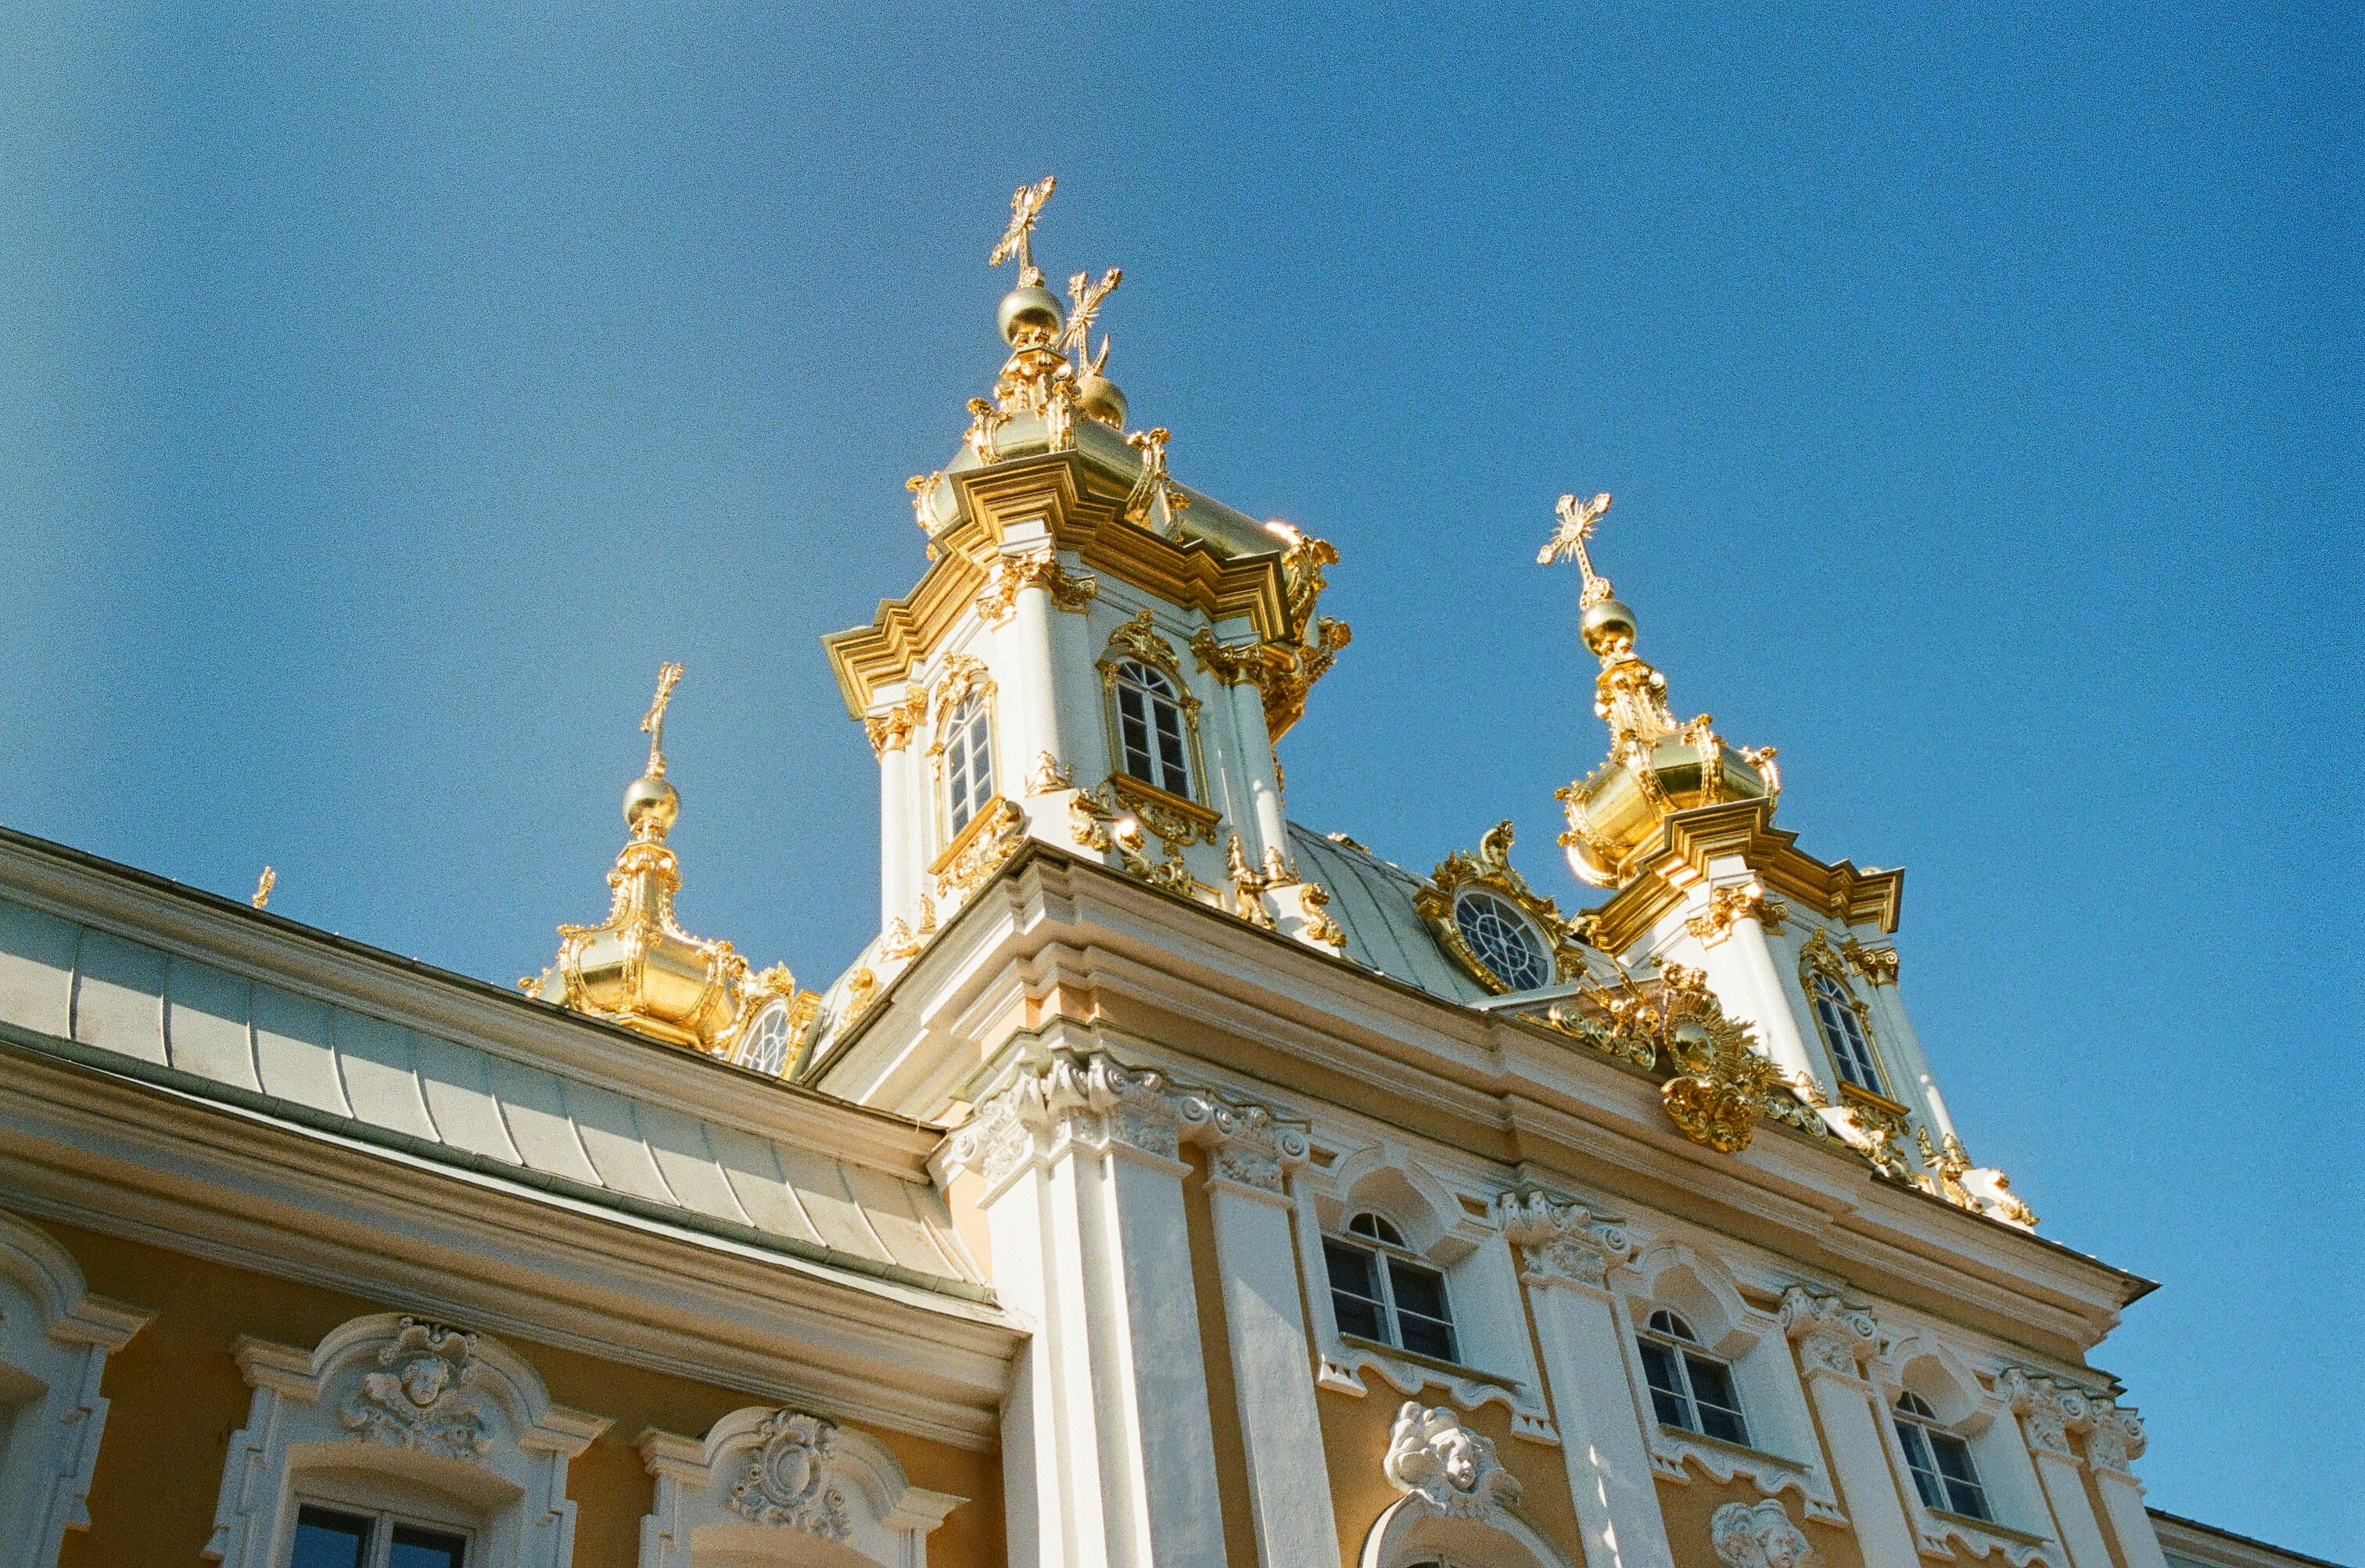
{"x": 1056, "y": 491}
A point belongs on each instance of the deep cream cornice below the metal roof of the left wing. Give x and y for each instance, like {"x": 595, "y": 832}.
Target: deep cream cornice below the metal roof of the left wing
{"x": 183, "y": 1174}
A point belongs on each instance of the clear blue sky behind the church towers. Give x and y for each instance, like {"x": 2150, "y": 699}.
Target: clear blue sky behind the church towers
{"x": 384, "y": 399}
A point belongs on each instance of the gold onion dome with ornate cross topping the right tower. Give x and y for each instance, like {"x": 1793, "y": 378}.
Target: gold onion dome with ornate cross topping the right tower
{"x": 1657, "y": 767}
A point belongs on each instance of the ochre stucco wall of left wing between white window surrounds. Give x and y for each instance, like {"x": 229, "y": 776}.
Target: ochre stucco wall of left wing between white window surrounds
{"x": 176, "y": 1397}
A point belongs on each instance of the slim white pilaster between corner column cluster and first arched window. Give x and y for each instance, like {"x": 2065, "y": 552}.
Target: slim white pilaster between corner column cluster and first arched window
{"x": 1271, "y": 1361}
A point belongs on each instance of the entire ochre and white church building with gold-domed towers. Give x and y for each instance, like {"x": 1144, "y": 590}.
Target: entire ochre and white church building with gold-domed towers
{"x": 1167, "y": 1184}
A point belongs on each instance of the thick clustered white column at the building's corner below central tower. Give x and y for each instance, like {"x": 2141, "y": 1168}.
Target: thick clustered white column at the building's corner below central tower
{"x": 1084, "y": 1186}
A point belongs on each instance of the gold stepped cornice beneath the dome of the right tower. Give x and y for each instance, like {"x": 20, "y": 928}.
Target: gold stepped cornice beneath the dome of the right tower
{"x": 1744, "y": 829}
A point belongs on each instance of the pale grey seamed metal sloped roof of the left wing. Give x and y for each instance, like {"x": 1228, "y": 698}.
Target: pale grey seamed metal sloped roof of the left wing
{"x": 332, "y": 1068}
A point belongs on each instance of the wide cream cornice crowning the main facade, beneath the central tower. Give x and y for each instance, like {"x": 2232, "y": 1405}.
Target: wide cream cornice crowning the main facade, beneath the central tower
{"x": 1259, "y": 1013}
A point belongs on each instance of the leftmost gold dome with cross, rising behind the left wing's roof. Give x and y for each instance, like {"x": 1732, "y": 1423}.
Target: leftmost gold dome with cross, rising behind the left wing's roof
{"x": 642, "y": 971}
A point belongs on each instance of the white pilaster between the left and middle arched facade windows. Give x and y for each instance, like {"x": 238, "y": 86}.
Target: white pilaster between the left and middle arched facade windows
{"x": 1586, "y": 1368}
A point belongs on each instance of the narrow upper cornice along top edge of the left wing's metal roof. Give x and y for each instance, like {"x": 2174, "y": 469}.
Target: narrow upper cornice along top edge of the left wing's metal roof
{"x": 346, "y": 973}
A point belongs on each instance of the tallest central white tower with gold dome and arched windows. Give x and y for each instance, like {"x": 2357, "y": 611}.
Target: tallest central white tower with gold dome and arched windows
{"x": 1094, "y": 656}
